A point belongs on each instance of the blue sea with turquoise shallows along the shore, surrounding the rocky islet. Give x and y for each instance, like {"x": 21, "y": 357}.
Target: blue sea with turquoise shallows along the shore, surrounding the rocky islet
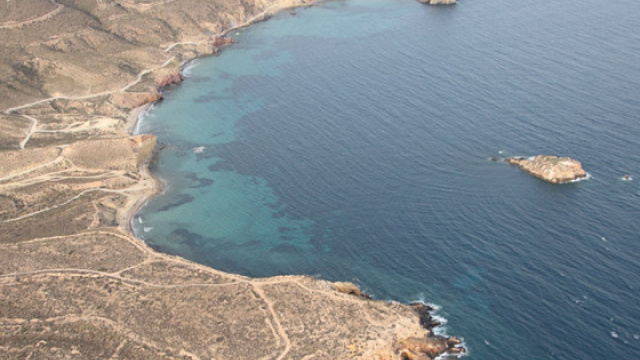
{"x": 351, "y": 142}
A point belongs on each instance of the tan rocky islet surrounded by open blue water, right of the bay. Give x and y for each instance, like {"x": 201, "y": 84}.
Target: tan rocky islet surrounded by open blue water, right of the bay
{"x": 553, "y": 169}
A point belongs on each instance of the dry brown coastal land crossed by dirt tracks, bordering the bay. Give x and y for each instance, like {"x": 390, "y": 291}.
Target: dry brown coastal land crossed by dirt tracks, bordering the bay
{"x": 74, "y": 281}
